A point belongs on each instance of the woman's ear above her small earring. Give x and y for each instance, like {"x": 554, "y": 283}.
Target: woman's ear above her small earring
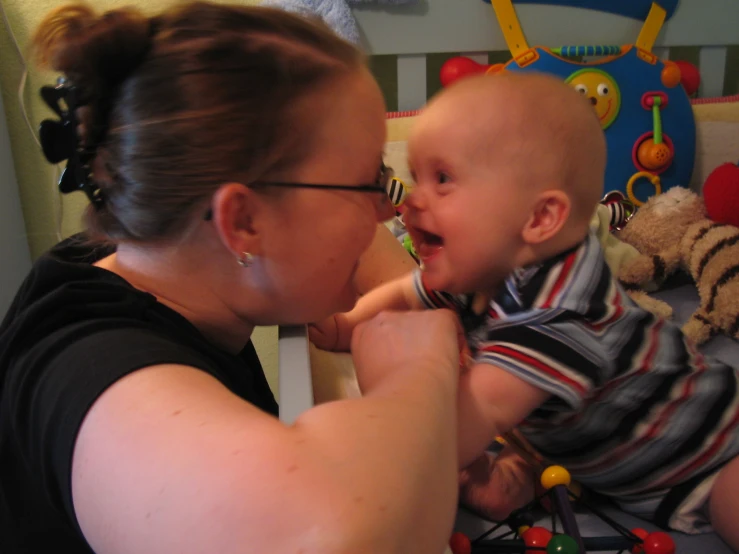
{"x": 235, "y": 210}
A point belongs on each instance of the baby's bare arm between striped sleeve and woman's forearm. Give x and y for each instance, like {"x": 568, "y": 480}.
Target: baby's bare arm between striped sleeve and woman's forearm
{"x": 492, "y": 401}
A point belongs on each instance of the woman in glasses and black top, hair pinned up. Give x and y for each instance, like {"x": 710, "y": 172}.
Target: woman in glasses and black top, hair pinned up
{"x": 135, "y": 416}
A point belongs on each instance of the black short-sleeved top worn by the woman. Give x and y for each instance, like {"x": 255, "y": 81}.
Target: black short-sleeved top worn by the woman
{"x": 72, "y": 331}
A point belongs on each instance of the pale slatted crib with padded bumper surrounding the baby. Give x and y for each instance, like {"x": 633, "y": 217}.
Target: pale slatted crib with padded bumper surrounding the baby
{"x": 408, "y": 46}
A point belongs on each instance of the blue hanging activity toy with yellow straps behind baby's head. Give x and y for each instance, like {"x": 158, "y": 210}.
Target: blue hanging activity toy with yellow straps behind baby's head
{"x": 643, "y": 108}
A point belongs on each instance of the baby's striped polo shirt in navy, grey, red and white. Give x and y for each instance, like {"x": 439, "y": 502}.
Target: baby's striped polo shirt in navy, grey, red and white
{"x": 635, "y": 412}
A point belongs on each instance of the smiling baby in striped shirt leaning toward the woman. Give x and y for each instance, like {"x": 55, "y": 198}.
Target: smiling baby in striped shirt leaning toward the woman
{"x": 508, "y": 171}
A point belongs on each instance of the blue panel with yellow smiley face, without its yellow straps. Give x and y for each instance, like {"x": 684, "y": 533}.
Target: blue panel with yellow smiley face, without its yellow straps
{"x": 625, "y": 128}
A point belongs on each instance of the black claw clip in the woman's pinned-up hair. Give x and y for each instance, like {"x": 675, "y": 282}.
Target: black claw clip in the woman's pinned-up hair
{"x": 59, "y": 141}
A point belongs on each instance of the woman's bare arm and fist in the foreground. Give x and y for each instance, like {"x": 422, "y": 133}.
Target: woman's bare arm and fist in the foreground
{"x": 168, "y": 460}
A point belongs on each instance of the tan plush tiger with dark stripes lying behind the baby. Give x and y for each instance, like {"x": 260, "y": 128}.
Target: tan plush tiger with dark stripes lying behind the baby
{"x": 672, "y": 231}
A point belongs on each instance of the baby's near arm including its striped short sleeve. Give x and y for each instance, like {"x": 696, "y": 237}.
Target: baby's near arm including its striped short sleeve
{"x": 519, "y": 366}
